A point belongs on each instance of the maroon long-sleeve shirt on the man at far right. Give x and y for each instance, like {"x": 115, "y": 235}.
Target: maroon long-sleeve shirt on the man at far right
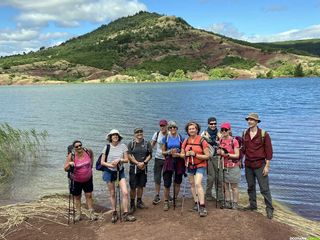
{"x": 256, "y": 150}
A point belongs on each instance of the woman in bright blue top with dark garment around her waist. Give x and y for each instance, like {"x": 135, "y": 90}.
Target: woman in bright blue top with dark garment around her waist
{"x": 173, "y": 164}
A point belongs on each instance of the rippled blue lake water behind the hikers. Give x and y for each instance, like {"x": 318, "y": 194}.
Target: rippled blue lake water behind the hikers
{"x": 289, "y": 110}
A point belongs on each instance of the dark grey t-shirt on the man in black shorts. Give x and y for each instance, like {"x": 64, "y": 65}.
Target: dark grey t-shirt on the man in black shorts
{"x": 140, "y": 150}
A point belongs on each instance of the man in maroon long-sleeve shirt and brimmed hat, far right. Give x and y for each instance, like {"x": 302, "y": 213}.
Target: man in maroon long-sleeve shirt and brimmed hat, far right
{"x": 258, "y": 153}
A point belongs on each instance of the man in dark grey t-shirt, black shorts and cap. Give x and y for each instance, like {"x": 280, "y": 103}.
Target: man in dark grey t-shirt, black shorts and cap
{"x": 140, "y": 153}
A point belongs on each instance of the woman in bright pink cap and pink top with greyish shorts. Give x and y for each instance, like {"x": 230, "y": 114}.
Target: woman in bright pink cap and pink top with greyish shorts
{"x": 229, "y": 152}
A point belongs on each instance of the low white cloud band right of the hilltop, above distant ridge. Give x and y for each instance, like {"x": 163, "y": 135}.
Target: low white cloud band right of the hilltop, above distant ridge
{"x": 229, "y": 30}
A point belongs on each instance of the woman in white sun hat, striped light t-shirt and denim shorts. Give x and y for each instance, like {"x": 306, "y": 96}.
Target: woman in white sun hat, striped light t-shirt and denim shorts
{"x": 113, "y": 161}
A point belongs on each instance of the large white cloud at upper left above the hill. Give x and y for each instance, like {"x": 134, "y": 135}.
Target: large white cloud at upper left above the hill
{"x": 70, "y": 13}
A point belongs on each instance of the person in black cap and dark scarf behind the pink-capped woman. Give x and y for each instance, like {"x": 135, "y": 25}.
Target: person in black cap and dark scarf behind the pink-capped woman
{"x": 214, "y": 177}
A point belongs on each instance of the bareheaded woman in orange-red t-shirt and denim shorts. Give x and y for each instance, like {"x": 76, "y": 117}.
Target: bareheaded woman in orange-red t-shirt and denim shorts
{"x": 195, "y": 150}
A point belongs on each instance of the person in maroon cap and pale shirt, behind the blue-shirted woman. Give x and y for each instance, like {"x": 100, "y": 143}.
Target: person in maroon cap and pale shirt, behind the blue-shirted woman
{"x": 156, "y": 141}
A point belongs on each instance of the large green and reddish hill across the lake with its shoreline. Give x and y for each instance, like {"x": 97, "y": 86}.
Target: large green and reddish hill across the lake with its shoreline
{"x": 150, "y": 46}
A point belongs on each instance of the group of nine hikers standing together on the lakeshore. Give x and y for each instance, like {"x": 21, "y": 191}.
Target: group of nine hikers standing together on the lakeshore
{"x": 214, "y": 154}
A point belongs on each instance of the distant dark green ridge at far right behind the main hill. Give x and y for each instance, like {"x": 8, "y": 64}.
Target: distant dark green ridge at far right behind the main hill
{"x": 305, "y": 47}
